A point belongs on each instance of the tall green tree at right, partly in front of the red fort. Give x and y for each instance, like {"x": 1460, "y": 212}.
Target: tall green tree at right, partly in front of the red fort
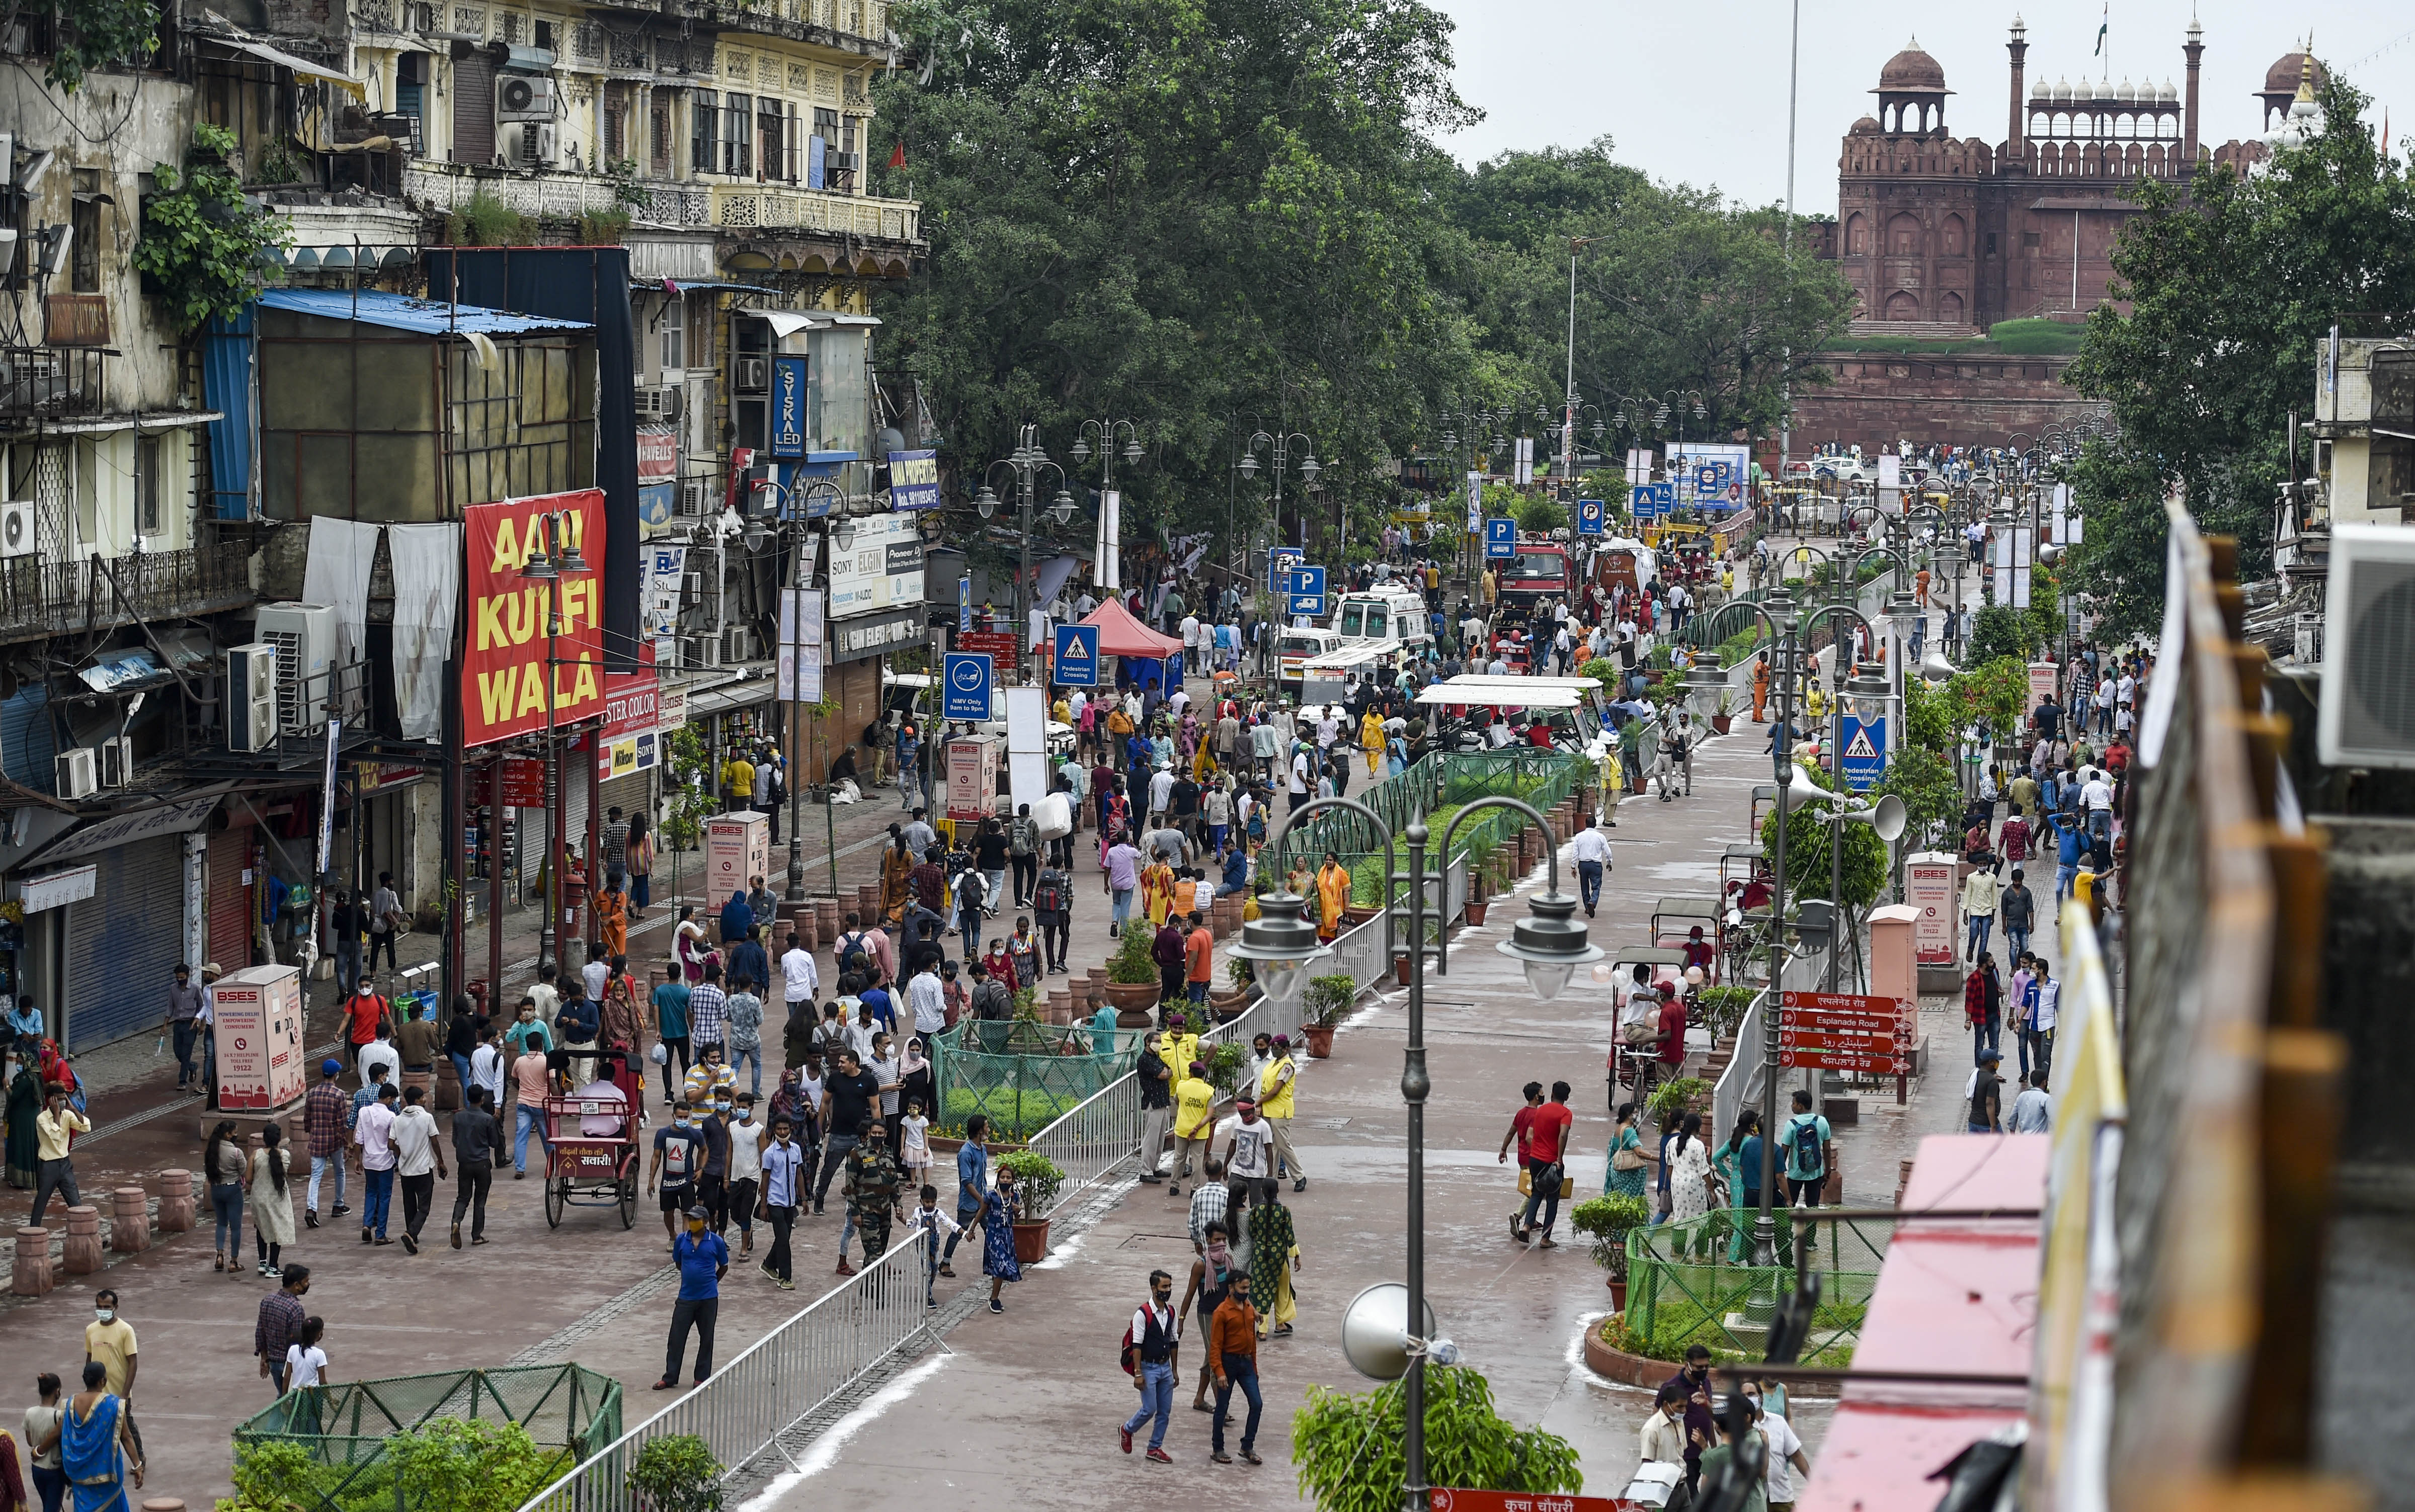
{"x": 2228, "y": 291}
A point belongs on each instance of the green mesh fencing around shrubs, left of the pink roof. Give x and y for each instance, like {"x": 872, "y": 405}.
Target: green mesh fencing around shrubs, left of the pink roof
{"x": 1694, "y": 1284}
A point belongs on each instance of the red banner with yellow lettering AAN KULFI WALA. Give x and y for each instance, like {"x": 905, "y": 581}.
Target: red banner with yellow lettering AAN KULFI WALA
{"x": 504, "y": 668}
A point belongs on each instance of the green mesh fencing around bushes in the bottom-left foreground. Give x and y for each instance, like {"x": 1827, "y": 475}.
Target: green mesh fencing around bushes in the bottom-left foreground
{"x": 354, "y": 1458}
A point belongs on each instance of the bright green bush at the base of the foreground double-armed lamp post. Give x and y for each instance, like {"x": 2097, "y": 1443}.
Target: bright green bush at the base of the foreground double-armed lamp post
{"x": 1351, "y": 1460}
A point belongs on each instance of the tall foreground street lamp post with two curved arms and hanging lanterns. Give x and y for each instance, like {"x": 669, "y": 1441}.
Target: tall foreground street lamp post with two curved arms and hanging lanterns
{"x": 1549, "y": 943}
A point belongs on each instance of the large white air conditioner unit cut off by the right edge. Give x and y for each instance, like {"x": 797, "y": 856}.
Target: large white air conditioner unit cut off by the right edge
{"x": 2368, "y": 714}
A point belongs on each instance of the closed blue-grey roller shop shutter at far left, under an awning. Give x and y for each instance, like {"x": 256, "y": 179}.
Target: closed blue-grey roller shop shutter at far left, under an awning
{"x": 124, "y": 943}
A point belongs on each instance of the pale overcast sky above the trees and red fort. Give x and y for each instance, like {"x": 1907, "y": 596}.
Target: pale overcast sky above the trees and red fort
{"x": 1699, "y": 93}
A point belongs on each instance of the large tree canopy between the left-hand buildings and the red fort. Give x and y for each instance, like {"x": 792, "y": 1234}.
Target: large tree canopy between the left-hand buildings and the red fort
{"x": 1221, "y": 219}
